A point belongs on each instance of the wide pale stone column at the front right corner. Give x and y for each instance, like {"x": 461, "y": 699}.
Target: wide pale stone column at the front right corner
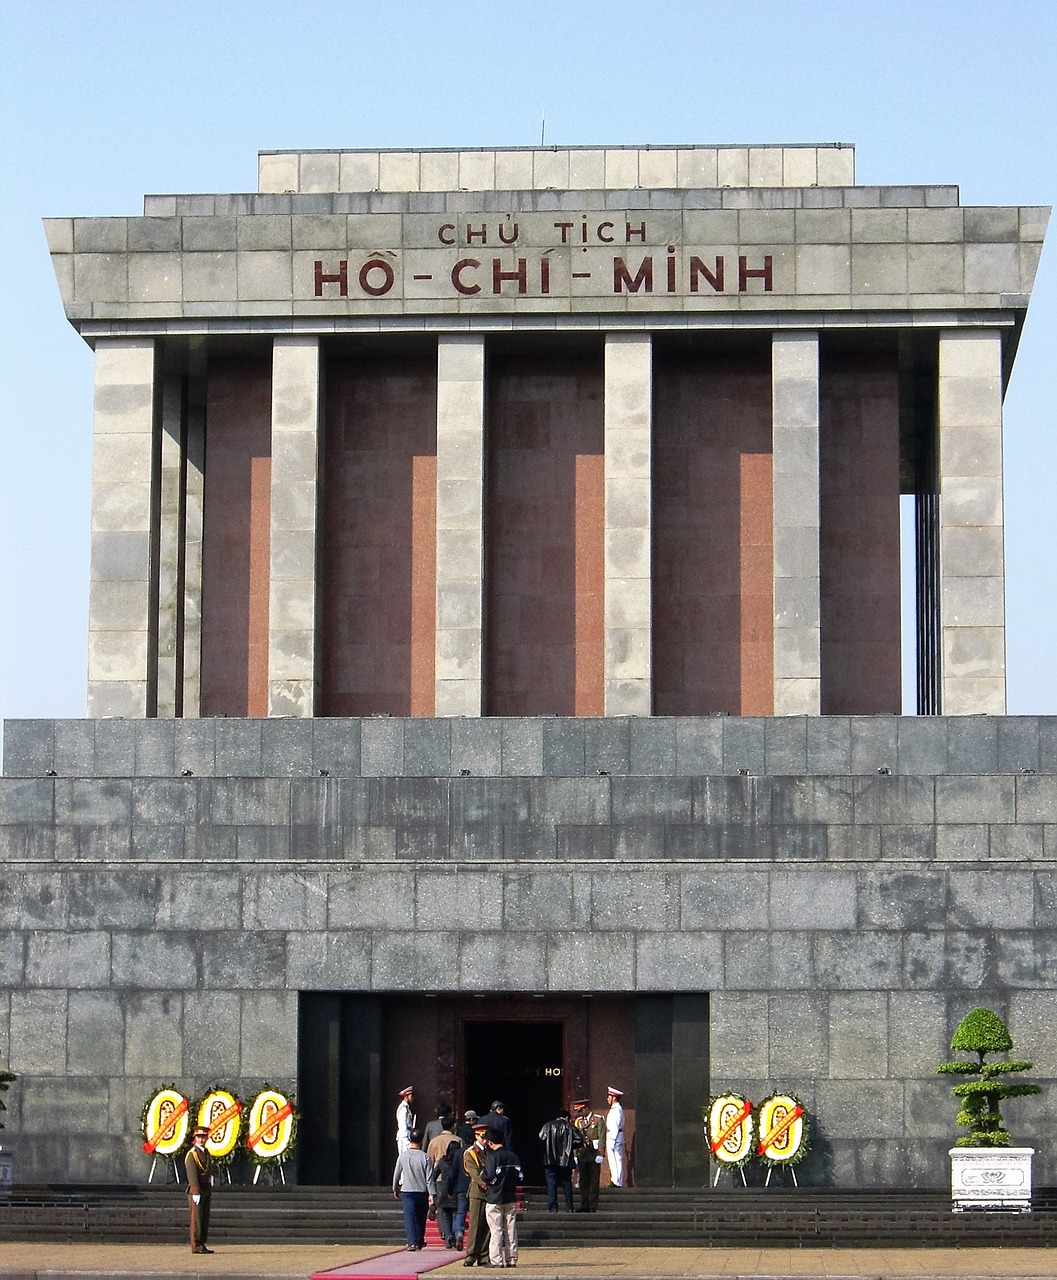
{"x": 972, "y": 556}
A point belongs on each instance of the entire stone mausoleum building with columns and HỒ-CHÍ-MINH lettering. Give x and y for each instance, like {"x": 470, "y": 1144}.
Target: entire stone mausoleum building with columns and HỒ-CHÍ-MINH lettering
{"x": 495, "y": 661}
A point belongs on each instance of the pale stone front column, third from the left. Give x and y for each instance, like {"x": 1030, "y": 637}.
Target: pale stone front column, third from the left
{"x": 460, "y": 525}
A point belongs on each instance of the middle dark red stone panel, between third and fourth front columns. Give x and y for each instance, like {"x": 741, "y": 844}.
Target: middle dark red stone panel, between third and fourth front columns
{"x": 546, "y": 536}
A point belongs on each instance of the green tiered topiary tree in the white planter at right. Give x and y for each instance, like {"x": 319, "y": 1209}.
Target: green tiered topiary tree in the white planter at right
{"x": 983, "y": 1032}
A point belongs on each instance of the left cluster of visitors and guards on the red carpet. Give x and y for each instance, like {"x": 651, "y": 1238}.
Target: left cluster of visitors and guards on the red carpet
{"x": 468, "y": 1173}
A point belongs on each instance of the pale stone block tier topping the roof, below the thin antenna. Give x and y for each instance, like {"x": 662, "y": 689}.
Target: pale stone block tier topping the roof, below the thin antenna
{"x": 557, "y": 168}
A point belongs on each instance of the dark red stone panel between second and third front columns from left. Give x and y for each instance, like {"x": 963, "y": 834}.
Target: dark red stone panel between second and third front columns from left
{"x": 379, "y": 537}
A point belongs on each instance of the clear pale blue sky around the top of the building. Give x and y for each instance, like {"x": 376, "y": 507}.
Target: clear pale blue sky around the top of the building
{"x": 103, "y": 103}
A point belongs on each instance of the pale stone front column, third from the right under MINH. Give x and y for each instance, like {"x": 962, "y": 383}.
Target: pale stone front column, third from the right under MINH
{"x": 629, "y": 519}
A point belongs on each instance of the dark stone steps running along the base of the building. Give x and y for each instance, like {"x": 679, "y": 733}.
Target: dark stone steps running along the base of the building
{"x": 779, "y": 1218}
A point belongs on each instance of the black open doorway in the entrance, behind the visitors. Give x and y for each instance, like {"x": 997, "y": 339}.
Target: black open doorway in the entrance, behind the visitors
{"x": 521, "y": 1064}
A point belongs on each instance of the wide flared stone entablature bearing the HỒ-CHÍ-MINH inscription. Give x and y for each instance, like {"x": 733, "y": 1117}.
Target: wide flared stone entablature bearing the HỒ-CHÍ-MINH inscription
{"x": 487, "y": 258}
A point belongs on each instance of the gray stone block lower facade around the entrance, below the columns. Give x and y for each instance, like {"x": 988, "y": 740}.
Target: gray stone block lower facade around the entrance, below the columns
{"x": 844, "y": 890}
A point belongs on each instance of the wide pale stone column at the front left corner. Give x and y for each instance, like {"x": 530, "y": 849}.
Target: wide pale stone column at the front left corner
{"x": 122, "y": 630}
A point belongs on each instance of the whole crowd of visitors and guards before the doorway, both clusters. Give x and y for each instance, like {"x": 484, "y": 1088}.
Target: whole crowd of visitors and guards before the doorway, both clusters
{"x": 468, "y": 1173}
